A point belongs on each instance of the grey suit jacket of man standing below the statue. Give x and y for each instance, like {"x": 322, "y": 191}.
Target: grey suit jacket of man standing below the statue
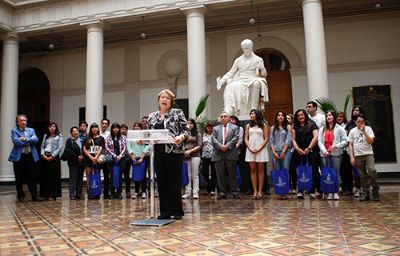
{"x": 232, "y": 139}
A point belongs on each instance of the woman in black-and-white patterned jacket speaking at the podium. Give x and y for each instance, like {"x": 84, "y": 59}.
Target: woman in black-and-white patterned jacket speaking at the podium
{"x": 168, "y": 158}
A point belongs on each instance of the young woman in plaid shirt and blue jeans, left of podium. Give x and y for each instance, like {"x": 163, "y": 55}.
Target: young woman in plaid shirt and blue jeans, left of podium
{"x": 115, "y": 149}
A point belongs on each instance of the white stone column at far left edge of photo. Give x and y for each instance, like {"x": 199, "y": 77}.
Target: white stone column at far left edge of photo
{"x": 9, "y": 103}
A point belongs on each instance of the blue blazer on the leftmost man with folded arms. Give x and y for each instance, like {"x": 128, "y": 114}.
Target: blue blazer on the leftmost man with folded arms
{"x": 18, "y": 148}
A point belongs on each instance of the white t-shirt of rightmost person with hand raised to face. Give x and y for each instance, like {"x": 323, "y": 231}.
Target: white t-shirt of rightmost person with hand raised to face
{"x": 360, "y": 145}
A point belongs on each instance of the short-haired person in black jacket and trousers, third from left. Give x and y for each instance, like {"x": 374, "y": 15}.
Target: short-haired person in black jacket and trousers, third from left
{"x": 73, "y": 154}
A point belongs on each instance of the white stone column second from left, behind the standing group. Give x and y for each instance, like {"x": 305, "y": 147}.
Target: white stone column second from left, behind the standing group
{"x": 94, "y": 73}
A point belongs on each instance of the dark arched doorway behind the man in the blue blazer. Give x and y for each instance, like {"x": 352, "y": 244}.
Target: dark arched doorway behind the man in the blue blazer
{"x": 34, "y": 99}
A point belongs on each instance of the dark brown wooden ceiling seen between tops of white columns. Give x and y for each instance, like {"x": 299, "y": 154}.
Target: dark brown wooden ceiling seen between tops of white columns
{"x": 218, "y": 17}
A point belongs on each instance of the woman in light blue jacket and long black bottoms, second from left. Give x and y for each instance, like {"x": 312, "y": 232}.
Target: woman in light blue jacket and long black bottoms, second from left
{"x": 50, "y": 175}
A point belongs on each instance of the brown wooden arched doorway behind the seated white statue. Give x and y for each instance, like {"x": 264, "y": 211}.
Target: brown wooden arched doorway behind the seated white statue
{"x": 279, "y": 83}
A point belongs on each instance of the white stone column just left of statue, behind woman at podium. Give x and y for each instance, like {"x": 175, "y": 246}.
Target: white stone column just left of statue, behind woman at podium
{"x": 196, "y": 47}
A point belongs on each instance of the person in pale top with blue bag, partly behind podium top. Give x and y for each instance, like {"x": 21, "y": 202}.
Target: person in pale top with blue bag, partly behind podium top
{"x": 137, "y": 151}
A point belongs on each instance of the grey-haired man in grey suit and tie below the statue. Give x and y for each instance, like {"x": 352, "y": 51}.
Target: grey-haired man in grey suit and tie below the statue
{"x": 224, "y": 139}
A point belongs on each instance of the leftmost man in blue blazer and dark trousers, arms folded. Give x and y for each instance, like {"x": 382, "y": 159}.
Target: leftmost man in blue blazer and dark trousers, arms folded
{"x": 23, "y": 155}
